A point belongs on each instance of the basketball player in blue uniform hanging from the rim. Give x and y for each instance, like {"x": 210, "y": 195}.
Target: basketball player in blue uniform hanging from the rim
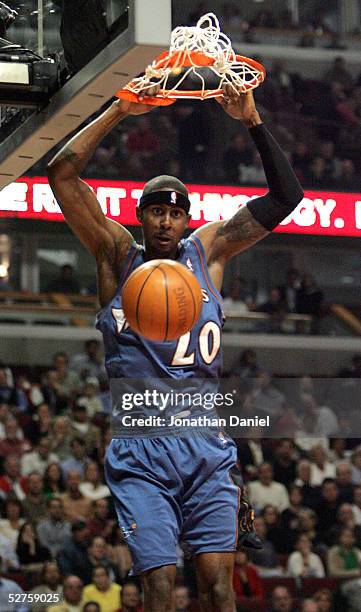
{"x": 170, "y": 484}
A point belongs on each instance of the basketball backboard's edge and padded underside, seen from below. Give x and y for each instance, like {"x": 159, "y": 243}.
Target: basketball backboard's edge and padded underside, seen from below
{"x": 147, "y": 35}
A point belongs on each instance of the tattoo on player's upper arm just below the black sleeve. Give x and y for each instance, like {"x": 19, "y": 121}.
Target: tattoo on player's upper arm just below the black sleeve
{"x": 242, "y": 228}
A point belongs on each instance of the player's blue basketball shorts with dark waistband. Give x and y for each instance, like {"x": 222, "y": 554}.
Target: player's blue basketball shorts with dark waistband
{"x": 174, "y": 489}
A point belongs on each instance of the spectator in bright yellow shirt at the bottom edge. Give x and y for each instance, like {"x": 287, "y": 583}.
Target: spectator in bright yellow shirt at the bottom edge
{"x": 102, "y": 590}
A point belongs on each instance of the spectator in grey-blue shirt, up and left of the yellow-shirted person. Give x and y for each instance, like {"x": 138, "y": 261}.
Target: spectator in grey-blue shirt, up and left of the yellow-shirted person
{"x": 54, "y": 531}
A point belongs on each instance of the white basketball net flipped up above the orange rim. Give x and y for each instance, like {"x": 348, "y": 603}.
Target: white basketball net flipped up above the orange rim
{"x": 206, "y": 38}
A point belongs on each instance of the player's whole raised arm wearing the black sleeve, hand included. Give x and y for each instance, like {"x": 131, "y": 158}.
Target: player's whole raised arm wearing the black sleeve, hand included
{"x": 223, "y": 240}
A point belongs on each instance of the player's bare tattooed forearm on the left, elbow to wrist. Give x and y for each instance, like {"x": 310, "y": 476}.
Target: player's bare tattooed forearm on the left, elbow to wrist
{"x": 74, "y": 156}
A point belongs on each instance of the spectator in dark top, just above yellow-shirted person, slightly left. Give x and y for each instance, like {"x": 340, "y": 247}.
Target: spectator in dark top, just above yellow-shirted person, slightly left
{"x": 73, "y": 557}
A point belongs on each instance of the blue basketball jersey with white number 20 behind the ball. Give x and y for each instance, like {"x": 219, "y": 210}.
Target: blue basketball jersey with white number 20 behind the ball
{"x": 191, "y": 363}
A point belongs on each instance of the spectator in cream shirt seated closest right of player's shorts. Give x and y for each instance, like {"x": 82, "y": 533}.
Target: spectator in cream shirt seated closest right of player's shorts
{"x": 267, "y": 491}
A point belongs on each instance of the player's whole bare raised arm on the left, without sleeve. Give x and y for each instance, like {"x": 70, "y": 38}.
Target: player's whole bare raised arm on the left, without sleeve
{"x": 76, "y": 199}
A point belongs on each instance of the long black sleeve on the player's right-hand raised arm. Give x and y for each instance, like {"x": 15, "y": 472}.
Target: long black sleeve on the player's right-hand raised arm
{"x": 285, "y": 191}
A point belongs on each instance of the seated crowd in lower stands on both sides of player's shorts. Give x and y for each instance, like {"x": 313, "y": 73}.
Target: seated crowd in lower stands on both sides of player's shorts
{"x": 58, "y": 529}
